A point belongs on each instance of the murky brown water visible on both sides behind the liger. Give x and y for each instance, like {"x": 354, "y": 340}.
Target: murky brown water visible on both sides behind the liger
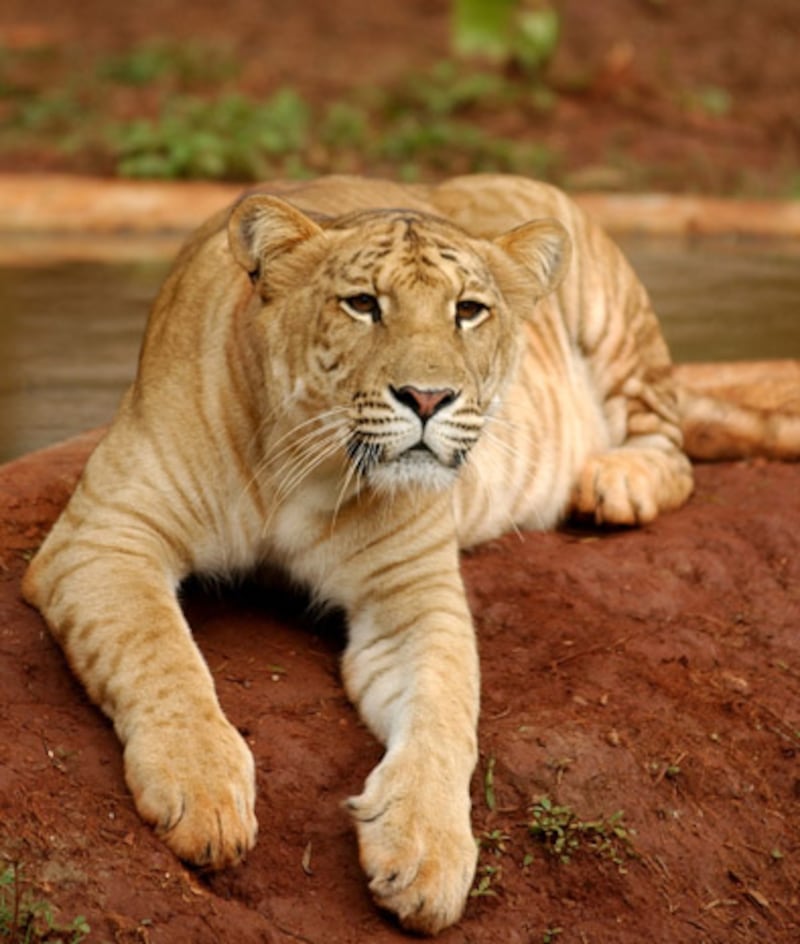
{"x": 70, "y": 333}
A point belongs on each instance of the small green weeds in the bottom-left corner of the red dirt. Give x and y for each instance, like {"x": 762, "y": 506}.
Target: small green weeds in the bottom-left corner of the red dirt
{"x": 24, "y": 920}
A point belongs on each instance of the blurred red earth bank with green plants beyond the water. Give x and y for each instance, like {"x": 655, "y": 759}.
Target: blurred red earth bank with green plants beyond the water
{"x": 675, "y": 95}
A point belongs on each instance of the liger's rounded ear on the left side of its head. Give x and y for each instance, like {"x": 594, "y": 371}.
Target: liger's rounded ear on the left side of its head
{"x": 261, "y": 227}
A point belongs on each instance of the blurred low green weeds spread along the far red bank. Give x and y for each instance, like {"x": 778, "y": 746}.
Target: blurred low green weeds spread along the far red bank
{"x": 171, "y": 111}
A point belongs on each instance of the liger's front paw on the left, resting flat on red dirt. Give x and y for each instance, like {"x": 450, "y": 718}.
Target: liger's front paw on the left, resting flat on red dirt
{"x": 196, "y": 786}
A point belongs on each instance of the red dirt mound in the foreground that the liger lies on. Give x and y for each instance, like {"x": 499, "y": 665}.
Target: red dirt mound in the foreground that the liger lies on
{"x": 654, "y": 671}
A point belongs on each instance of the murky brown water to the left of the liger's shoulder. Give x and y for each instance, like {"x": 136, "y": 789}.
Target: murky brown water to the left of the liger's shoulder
{"x": 69, "y": 338}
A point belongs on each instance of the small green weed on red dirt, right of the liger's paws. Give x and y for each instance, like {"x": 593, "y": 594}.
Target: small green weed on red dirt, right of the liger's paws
{"x": 563, "y": 833}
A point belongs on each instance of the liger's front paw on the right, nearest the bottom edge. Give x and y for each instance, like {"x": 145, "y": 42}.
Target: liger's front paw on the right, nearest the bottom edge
{"x": 416, "y": 847}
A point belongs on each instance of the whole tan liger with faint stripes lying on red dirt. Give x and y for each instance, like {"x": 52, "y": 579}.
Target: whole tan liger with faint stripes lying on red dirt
{"x": 292, "y": 363}
